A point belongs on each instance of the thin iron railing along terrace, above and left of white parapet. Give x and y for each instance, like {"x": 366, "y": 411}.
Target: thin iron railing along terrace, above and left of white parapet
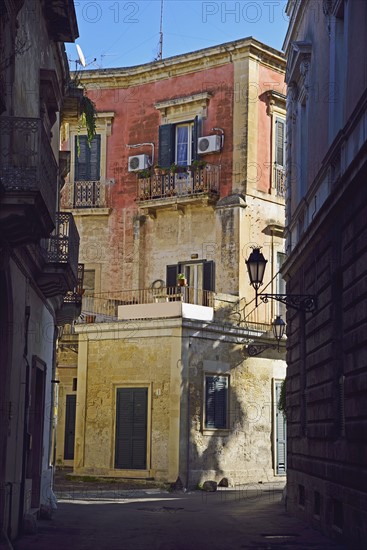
{"x": 105, "y": 305}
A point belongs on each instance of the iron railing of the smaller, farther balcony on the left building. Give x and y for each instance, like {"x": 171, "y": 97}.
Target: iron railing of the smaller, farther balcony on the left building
{"x": 62, "y": 247}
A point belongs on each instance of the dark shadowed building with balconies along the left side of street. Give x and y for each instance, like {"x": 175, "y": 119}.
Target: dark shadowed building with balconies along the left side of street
{"x": 38, "y": 248}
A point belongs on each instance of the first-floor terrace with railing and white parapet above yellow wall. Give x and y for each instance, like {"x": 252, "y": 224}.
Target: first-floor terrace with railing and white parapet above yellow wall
{"x": 149, "y": 303}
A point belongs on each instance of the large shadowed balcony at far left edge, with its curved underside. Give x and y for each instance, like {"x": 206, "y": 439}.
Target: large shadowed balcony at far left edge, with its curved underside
{"x": 28, "y": 180}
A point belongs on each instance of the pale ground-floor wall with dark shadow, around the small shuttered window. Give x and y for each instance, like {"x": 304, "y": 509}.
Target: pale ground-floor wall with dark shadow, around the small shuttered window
{"x": 241, "y": 451}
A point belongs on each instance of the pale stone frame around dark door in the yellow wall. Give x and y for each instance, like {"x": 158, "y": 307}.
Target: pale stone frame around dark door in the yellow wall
{"x": 148, "y": 472}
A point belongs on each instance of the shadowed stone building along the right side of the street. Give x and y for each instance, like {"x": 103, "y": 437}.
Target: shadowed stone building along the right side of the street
{"x": 326, "y": 247}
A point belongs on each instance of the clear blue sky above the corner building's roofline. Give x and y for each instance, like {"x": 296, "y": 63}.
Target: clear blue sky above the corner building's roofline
{"x": 125, "y": 33}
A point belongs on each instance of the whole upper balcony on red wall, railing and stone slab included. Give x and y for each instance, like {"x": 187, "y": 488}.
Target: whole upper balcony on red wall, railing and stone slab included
{"x": 188, "y": 186}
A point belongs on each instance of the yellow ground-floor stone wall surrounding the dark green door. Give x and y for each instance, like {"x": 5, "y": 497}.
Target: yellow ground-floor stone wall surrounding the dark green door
{"x": 141, "y": 355}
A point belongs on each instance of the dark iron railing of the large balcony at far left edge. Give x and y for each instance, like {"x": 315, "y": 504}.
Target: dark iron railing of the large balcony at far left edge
{"x": 27, "y": 162}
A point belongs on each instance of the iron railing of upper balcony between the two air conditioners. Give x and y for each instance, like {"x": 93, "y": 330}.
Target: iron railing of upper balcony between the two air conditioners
{"x": 187, "y": 183}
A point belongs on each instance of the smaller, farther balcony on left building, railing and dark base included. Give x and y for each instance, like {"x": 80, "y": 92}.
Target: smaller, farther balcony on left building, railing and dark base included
{"x": 60, "y": 272}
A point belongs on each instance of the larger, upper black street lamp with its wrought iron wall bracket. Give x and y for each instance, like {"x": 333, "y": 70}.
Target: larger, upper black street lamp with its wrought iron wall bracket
{"x": 256, "y": 264}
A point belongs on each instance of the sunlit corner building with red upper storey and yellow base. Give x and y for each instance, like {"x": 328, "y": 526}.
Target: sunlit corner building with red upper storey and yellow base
{"x": 164, "y": 362}
